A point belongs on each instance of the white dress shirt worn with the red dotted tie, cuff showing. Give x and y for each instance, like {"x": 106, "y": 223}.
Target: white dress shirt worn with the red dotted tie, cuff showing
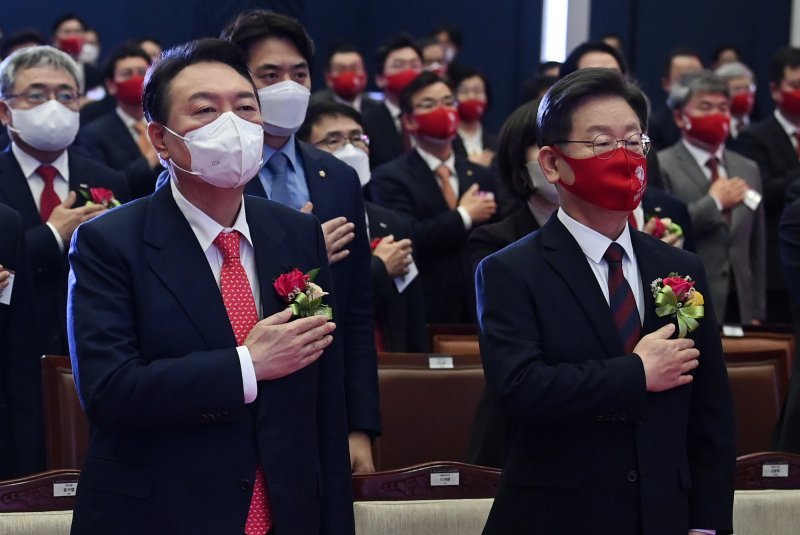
{"x": 206, "y": 230}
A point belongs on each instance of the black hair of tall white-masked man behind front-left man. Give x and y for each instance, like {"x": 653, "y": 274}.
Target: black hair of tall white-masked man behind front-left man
{"x": 257, "y": 24}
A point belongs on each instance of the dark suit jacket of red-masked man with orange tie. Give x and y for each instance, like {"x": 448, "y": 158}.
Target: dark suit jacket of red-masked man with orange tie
{"x": 407, "y": 184}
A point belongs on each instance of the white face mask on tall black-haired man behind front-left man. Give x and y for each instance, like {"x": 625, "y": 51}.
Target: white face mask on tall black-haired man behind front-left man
{"x": 283, "y": 107}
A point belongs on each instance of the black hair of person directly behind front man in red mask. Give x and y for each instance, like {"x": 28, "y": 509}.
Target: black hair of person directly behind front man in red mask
{"x": 517, "y": 134}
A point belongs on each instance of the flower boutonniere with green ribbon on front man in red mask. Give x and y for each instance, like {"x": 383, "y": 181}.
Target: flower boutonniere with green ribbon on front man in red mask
{"x": 676, "y": 296}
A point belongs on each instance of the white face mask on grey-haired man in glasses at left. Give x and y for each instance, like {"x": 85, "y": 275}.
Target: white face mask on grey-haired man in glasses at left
{"x": 48, "y": 126}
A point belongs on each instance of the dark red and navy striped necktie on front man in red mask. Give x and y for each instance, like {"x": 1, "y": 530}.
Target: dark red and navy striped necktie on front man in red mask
{"x": 621, "y": 300}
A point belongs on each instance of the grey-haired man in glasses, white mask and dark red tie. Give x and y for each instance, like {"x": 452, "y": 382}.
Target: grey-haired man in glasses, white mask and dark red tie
{"x": 42, "y": 178}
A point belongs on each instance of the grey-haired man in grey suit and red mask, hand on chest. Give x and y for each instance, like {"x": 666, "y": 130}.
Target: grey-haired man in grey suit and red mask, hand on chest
{"x": 723, "y": 192}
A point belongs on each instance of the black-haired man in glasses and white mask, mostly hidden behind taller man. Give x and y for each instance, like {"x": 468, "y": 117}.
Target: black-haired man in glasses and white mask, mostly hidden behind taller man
{"x": 399, "y": 305}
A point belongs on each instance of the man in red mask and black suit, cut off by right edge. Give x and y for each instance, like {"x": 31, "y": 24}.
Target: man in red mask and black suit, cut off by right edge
{"x": 773, "y": 144}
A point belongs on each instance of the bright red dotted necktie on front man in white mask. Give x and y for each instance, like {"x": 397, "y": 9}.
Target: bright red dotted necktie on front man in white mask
{"x": 241, "y": 307}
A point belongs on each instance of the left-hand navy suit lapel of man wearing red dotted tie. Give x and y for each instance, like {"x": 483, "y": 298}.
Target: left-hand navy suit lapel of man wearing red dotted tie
{"x": 177, "y": 260}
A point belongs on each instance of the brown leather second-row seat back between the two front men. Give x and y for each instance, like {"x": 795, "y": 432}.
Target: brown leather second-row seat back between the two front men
{"x": 427, "y": 407}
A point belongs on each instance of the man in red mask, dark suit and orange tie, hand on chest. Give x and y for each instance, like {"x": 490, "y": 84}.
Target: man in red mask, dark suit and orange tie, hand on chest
{"x": 444, "y": 194}
